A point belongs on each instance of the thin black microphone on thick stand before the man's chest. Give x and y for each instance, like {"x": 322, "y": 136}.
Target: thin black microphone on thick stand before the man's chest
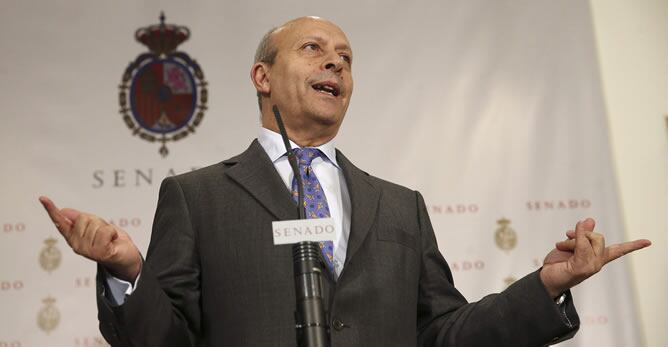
{"x": 310, "y": 319}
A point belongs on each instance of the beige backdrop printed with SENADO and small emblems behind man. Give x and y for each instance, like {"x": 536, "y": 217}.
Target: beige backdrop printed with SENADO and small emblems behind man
{"x": 493, "y": 110}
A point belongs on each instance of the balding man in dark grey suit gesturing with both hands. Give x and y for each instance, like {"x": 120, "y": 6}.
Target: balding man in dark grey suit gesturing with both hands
{"x": 213, "y": 276}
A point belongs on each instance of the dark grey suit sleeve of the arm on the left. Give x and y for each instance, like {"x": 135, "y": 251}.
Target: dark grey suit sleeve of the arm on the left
{"x": 164, "y": 308}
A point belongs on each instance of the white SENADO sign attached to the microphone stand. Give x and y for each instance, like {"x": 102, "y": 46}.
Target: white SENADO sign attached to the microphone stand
{"x": 298, "y": 230}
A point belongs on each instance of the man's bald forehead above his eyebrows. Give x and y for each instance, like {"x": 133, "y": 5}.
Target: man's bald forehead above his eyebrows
{"x": 307, "y": 28}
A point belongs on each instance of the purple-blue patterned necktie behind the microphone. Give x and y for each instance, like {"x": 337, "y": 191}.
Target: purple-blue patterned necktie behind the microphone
{"x": 315, "y": 202}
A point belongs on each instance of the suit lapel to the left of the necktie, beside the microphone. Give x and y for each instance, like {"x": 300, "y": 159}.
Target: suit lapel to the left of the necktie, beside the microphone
{"x": 254, "y": 171}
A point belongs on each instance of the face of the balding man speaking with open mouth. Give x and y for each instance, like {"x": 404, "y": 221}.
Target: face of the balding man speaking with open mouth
{"x": 311, "y": 80}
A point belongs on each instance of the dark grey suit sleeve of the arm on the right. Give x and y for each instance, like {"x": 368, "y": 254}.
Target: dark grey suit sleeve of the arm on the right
{"x": 522, "y": 315}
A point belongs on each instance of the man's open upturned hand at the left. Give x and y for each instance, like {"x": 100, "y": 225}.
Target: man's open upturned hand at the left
{"x": 92, "y": 237}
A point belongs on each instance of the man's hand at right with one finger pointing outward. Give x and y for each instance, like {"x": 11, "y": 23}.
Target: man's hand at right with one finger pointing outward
{"x": 581, "y": 256}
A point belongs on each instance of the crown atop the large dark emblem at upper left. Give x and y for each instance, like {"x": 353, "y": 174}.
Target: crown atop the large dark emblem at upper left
{"x": 162, "y": 39}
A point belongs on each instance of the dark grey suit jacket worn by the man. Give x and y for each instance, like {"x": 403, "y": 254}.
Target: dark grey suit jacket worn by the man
{"x": 213, "y": 277}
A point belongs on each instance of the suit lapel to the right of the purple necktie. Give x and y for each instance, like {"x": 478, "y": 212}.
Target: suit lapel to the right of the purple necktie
{"x": 364, "y": 198}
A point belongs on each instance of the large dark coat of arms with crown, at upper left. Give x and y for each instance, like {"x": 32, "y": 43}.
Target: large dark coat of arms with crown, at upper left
{"x": 163, "y": 93}
